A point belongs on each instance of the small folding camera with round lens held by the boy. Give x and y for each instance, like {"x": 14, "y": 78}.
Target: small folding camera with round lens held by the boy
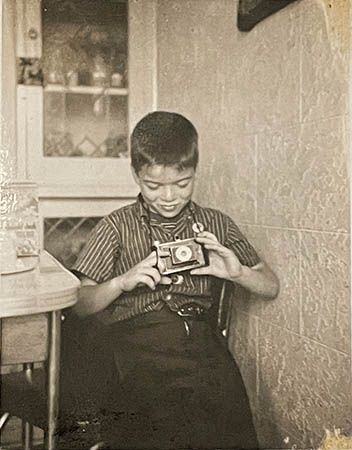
{"x": 181, "y": 255}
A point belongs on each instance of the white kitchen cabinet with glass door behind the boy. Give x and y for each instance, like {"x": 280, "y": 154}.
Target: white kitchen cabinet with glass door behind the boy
{"x": 70, "y": 120}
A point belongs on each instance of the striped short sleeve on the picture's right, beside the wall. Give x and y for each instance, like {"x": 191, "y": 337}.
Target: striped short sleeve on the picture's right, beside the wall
{"x": 238, "y": 243}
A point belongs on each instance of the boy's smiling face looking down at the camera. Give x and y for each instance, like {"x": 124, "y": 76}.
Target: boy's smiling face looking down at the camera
{"x": 166, "y": 190}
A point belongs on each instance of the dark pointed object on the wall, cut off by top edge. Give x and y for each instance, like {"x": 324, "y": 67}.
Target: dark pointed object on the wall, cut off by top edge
{"x": 250, "y": 12}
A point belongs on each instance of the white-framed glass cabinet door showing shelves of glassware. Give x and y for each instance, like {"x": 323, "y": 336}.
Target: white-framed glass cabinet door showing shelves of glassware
{"x": 74, "y": 97}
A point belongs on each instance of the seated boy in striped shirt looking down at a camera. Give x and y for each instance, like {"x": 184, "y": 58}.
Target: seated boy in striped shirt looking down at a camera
{"x": 166, "y": 380}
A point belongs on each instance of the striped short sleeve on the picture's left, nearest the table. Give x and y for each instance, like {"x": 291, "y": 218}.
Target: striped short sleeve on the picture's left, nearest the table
{"x": 96, "y": 260}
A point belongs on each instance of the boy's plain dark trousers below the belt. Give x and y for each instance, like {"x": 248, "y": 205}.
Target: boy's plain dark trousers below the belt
{"x": 175, "y": 389}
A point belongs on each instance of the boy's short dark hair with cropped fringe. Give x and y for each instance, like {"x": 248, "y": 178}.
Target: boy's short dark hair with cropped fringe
{"x": 166, "y": 139}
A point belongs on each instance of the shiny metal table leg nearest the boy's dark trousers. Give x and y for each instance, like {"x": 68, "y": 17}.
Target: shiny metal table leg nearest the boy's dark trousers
{"x": 53, "y": 377}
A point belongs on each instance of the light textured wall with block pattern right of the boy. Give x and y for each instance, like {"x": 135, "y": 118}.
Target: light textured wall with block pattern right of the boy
{"x": 271, "y": 107}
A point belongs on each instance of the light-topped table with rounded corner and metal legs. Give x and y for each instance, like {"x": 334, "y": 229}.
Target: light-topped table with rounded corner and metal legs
{"x": 30, "y": 310}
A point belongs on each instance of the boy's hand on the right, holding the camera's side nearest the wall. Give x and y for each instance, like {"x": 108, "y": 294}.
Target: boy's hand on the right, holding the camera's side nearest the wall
{"x": 223, "y": 263}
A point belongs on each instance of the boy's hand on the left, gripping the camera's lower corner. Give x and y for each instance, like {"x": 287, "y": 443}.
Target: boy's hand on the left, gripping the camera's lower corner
{"x": 143, "y": 273}
